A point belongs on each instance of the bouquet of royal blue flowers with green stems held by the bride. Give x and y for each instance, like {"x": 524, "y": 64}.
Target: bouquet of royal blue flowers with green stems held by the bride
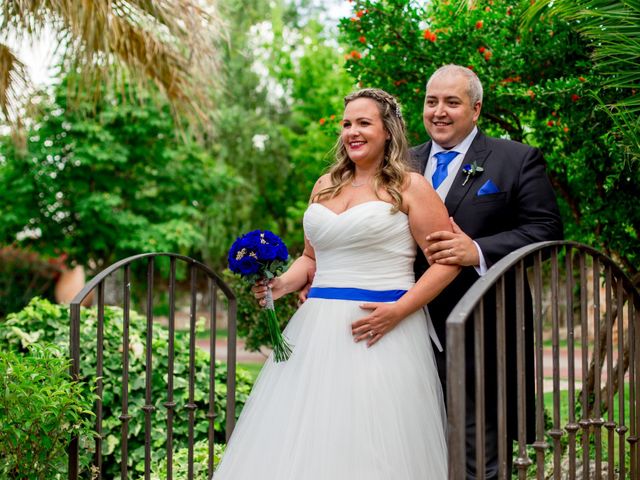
{"x": 261, "y": 255}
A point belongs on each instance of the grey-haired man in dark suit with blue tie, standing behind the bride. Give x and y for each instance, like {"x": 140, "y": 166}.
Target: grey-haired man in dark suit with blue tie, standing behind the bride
{"x": 499, "y": 199}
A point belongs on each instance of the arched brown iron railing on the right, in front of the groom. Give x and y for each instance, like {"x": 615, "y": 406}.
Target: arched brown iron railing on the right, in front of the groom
{"x": 586, "y": 315}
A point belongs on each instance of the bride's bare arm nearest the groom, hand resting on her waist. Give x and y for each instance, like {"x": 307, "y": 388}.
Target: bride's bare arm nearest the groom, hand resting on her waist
{"x": 427, "y": 214}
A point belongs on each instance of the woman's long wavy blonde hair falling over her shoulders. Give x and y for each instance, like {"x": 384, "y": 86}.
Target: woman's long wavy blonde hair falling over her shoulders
{"x": 393, "y": 170}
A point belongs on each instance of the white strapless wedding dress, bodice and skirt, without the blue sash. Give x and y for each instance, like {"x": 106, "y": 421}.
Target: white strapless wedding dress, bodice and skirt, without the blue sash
{"x": 337, "y": 410}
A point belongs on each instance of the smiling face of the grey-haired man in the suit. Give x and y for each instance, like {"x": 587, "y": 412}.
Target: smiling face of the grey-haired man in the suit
{"x": 449, "y": 115}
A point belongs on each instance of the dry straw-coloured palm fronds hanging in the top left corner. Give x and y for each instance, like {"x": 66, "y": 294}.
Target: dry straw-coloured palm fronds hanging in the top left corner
{"x": 171, "y": 43}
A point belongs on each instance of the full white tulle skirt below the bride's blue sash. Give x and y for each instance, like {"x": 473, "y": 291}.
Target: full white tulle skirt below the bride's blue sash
{"x": 337, "y": 410}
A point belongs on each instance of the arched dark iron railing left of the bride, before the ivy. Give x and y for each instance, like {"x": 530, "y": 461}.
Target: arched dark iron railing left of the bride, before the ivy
{"x": 214, "y": 288}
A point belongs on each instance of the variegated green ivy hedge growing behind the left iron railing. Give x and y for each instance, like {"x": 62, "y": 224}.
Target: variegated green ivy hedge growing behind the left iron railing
{"x": 43, "y": 321}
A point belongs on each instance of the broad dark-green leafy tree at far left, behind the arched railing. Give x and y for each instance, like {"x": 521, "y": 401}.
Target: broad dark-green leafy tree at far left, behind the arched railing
{"x": 102, "y": 182}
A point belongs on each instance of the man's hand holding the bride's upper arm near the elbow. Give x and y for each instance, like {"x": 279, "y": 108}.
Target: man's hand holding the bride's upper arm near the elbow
{"x": 452, "y": 248}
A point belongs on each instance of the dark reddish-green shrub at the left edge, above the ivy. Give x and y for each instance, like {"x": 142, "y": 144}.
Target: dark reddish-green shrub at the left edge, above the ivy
{"x": 23, "y": 275}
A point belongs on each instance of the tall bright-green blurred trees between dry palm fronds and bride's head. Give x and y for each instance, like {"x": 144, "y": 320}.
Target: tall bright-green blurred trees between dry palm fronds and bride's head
{"x": 283, "y": 78}
